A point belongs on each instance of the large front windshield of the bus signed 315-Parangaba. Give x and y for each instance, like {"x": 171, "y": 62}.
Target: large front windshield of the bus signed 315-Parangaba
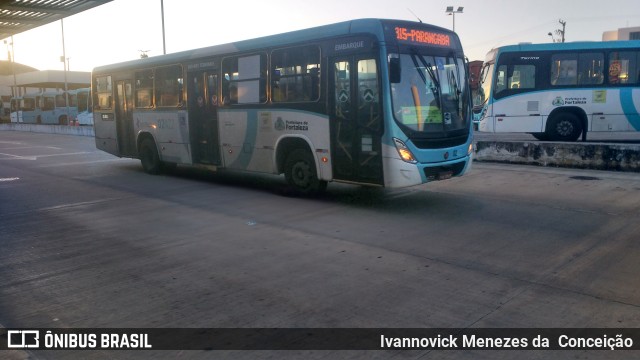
{"x": 431, "y": 96}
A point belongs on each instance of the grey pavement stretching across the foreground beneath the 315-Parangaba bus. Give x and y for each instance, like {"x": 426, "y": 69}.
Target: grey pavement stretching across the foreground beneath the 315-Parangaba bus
{"x": 89, "y": 240}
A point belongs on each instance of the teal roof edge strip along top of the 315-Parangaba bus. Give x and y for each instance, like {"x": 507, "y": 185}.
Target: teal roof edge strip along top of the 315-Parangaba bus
{"x": 351, "y": 27}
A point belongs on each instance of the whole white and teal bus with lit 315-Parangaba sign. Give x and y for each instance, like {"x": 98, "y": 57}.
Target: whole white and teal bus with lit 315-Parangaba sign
{"x": 370, "y": 101}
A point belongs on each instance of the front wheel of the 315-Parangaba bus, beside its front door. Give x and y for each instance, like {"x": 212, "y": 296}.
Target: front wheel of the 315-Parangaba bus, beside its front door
{"x": 301, "y": 175}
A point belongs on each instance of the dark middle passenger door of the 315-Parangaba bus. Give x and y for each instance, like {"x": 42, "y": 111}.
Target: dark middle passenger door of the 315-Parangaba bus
{"x": 203, "y": 116}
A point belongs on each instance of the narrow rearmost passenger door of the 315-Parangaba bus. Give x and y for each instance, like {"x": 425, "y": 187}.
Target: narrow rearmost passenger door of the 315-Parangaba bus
{"x": 124, "y": 118}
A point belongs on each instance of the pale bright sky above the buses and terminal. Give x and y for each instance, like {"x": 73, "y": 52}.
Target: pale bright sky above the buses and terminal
{"x": 119, "y": 30}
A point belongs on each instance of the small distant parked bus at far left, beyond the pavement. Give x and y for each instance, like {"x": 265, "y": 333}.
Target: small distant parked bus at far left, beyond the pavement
{"x": 49, "y": 107}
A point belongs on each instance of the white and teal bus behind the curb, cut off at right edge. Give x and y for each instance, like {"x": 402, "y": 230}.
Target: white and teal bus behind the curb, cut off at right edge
{"x": 560, "y": 91}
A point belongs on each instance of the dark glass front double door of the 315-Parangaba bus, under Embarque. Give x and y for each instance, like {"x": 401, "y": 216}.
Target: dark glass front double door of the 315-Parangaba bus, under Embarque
{"x": 356, "y": 120}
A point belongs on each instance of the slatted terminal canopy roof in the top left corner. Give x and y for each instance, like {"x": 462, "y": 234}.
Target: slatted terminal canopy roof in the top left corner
{"x": 18, "y": 16}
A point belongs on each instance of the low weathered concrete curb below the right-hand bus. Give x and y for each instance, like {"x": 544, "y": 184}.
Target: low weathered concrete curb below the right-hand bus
{"x": 597, "y": 156}
